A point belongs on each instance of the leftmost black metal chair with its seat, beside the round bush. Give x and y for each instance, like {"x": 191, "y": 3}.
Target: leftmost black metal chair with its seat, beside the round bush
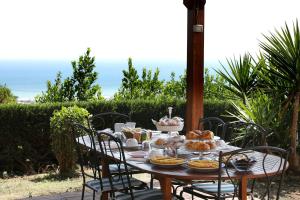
{"x": 89, "y": 157}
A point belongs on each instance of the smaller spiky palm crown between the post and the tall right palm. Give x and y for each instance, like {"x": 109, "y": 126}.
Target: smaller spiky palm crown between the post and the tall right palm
{"x": 242, "y": 76}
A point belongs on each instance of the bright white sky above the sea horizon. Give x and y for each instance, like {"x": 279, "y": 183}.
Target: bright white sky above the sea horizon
{"x": 142, "y": 29}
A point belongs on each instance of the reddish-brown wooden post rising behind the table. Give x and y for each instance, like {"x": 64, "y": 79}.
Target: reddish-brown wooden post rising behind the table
{"x": 195, "y": 64}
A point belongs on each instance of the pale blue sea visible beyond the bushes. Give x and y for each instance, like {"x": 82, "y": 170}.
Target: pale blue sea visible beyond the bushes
{"x": 27, "y": 78}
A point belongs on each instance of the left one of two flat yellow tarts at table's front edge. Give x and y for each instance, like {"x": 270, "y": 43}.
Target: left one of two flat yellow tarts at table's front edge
{"x": 166, "y": 161}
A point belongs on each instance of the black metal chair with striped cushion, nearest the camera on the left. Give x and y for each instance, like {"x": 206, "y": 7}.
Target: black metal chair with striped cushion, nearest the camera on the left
{"x": 112, "y": 150}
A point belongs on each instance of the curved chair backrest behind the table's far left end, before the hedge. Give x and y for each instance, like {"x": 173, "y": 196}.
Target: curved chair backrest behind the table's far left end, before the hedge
{"x": 107, "y": 120}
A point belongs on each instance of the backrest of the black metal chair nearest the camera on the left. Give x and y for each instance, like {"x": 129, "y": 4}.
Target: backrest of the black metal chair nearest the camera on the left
{"x": 112, "y": 151}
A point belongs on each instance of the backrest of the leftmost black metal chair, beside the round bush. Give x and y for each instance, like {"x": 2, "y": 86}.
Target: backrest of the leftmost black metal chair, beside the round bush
{"x": 86, "y": 150}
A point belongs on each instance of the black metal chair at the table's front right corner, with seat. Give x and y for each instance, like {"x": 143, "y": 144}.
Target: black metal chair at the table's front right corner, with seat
{"x": 265, "y": 161}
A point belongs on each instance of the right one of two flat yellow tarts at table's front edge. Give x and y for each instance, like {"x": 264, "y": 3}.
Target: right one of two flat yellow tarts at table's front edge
{"x": 203, "y": 165}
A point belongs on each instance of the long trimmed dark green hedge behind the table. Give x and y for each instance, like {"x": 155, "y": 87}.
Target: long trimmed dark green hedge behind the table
{"x": 24, "y": 129}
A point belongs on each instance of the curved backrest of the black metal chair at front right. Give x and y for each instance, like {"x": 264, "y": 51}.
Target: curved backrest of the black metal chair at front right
{"x": 270, "y": 162}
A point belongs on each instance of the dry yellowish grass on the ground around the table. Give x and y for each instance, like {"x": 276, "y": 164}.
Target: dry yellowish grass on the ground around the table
{"x": 50, "y": 184}
